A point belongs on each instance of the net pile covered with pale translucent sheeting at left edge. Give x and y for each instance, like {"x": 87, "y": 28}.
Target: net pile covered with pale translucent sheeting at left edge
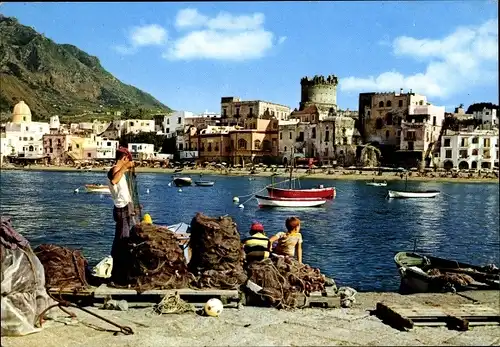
{"x": 24, "y": 296}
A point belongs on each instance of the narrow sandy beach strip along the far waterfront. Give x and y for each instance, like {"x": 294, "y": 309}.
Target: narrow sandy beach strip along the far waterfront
{"x": 345, "y": 175}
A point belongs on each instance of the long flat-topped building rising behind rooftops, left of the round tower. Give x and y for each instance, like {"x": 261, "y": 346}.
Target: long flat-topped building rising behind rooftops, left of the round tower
{"x": 235, "y": 111}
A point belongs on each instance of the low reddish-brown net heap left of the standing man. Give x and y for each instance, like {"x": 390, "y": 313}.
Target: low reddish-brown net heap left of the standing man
{"x": 64, "y": 268}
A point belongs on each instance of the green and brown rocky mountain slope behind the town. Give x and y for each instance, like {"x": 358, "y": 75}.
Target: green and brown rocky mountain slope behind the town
{"x": 60, "y": 78}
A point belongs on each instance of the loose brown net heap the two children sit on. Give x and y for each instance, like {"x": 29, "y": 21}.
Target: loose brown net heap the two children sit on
{"x": 285, "y": 282}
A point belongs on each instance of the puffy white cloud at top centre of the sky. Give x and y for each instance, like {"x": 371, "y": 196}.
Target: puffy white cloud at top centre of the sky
{"x": 223, "y": 37}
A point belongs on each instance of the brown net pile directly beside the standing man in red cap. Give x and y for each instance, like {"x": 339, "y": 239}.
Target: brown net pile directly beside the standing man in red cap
{"x": 155, "y": 261}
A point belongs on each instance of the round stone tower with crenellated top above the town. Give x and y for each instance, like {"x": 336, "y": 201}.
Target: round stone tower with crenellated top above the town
{"x": 319, "y": 91}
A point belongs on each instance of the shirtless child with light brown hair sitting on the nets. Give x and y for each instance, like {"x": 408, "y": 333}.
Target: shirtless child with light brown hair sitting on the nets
{"x": 289, "y": 243}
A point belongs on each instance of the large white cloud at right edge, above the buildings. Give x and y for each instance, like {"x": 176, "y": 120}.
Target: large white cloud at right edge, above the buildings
{"x": 467, "y": 56}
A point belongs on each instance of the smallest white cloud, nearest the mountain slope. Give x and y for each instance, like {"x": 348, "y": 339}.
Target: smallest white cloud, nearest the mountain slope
{"x": 140, "y": 36}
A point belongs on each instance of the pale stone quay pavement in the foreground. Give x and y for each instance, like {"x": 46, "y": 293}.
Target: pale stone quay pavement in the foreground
{"x": 252, "y": 326}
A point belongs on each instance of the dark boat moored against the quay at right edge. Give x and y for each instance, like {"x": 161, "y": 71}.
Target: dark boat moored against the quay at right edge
{"x": 427, "y": 274}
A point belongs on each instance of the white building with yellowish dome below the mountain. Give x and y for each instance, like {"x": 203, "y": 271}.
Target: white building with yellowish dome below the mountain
{"x": 24, "y": 138}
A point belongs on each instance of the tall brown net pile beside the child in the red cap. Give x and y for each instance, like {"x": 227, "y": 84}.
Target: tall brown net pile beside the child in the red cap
{"x": 218, "y": 256}
